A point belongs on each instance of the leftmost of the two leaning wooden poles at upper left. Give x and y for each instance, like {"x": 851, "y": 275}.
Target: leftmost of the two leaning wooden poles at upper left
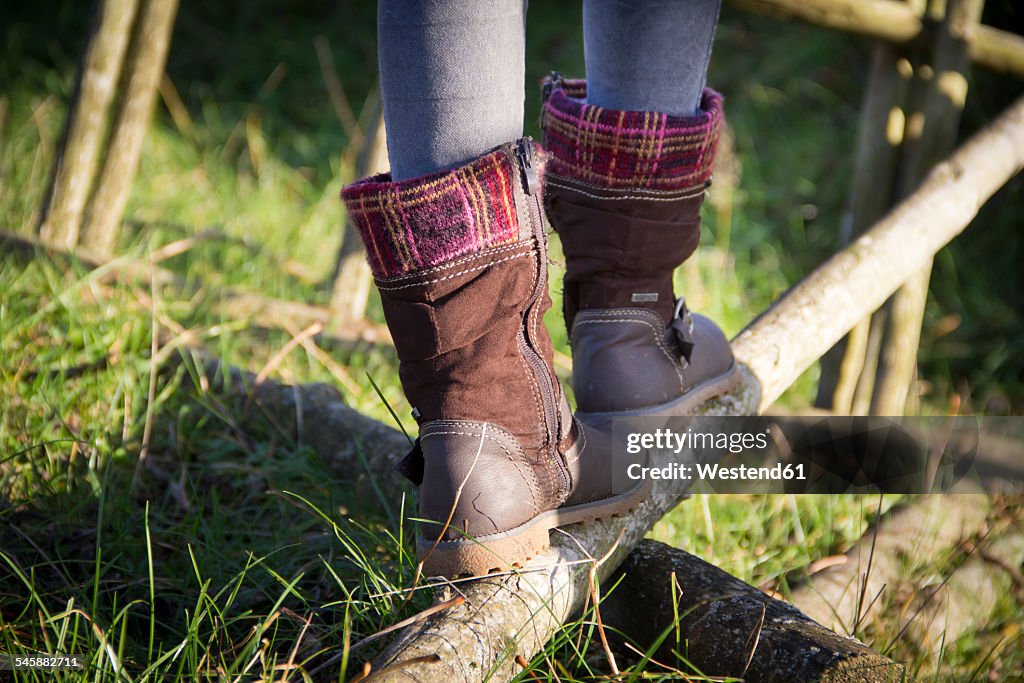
{"x": 75, "y": 168}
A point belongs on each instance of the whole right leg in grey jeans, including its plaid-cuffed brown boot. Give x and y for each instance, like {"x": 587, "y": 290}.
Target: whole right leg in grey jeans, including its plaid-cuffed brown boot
{"x": 630, "y": 162}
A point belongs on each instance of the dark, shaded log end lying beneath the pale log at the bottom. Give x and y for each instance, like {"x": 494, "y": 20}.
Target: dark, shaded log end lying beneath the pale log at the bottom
{"x": 728, "y": 628}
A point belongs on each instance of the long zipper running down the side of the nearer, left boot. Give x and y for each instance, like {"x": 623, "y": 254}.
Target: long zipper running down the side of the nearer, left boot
{"x": 525, "y": 155}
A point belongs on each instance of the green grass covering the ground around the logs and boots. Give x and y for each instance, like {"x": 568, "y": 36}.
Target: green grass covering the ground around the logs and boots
{"x": 239, "y": 553}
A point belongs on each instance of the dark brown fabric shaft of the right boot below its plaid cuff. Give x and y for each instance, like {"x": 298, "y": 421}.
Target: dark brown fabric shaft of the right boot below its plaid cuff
{"x": 622, "y": 246}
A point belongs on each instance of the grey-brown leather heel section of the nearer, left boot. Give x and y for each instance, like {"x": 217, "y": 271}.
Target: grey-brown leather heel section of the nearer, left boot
{"x": 478, "y": 479}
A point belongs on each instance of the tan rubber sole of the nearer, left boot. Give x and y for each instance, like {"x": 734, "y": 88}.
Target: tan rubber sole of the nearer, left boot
{"x": 513, "y": 549}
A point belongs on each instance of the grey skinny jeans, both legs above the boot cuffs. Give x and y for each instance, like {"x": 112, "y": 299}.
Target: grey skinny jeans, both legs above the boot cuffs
{"x": 453, "y": 71}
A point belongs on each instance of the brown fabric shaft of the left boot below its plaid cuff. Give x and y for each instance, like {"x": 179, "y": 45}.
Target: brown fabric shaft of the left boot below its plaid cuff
{"x": 456, "y": 333}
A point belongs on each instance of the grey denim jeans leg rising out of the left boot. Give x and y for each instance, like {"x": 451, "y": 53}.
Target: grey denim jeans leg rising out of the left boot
{"x": 452, "y": 80}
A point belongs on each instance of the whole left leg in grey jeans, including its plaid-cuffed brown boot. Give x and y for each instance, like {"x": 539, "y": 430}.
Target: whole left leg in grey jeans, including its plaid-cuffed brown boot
{"x": 458, "y": 248}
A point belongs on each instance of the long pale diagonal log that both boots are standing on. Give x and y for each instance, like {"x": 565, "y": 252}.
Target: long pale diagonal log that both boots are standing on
{"x": 505, "y": 617}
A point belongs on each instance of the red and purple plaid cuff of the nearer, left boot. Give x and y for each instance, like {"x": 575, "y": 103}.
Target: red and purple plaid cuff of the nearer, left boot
{"x": 428, "y": 222}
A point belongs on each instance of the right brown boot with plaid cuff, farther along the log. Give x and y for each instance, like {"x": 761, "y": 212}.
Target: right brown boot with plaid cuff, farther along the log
{"x": 624, "y": 193}
